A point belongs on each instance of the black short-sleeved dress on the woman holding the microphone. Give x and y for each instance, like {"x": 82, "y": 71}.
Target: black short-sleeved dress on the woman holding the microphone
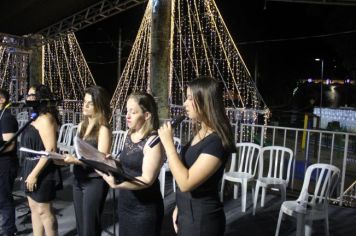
{"x": 200, "y": 211}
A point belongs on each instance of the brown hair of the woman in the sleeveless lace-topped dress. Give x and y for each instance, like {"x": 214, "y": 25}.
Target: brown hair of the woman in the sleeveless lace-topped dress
{"x": 147, "y": 104}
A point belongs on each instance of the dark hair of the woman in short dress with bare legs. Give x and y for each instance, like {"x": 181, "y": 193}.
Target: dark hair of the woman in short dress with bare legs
{"x": 45, "y": 98}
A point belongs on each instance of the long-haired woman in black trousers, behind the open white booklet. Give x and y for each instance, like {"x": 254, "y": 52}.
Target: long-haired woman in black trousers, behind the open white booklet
{"x": 89, "y": 189}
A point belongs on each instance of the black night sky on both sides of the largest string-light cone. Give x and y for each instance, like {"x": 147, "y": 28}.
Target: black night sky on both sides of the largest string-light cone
{"x": 281, "y": 39}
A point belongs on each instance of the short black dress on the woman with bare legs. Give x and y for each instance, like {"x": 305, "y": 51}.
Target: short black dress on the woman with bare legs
{"x": 46, "y": 181}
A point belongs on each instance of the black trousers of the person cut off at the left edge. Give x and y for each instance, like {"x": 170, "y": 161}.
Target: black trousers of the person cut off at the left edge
{"x": 8, "y": 173}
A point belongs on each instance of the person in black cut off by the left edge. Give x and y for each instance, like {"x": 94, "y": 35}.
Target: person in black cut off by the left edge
{"x": 8, "y": 166}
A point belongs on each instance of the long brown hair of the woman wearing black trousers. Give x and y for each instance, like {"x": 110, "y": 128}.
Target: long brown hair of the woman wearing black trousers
{"x": 101, "y": 103}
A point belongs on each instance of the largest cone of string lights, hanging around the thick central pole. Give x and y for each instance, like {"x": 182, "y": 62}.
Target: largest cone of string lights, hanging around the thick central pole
{"x": 201, "y": 45}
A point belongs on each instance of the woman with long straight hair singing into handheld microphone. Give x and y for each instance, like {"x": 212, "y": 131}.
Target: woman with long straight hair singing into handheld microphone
{"x": 201, "y": 166}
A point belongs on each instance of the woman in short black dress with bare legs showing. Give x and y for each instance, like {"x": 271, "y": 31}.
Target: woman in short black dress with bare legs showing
{"x": 38, "y": 173}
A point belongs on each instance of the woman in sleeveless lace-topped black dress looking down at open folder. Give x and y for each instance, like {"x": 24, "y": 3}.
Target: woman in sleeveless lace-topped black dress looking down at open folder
{"x": 140, "y": 206}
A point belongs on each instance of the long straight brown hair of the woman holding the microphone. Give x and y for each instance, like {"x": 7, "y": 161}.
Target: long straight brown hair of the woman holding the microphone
{"x": 208, "y": 97}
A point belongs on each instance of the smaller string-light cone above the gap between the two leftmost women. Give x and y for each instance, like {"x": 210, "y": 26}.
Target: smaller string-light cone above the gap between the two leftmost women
{"x": 67, "y": 74}
